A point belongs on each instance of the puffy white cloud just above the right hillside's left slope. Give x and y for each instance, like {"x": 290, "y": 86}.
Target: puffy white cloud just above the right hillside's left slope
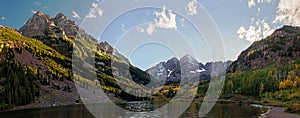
{"x": 256, "y": 32}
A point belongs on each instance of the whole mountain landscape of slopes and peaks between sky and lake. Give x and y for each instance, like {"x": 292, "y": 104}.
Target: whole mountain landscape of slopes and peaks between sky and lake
{"x": 39, "y": 69}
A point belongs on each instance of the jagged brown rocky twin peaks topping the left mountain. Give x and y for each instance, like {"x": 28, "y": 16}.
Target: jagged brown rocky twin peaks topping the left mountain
{"x": 58, "y": 33}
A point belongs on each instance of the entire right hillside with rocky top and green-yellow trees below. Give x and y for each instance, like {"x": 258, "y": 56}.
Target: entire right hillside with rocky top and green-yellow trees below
{"x": 269, "y": 70}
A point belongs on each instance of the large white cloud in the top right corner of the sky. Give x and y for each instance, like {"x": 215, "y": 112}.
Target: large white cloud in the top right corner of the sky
{"x": 288, "y": 12}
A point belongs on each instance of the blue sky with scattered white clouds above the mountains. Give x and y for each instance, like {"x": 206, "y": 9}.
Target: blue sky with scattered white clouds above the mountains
{"x": 239, "y": 22}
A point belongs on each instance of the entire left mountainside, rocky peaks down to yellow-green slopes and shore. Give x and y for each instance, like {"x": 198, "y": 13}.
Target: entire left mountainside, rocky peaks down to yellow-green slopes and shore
{"x": 36, "y": 65}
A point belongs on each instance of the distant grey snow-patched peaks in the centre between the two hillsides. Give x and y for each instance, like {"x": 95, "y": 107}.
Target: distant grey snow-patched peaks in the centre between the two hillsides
{"x": 187, "y": 67}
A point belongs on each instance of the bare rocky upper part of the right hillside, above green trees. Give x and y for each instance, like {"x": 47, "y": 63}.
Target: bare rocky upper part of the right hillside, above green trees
{"x": 281, "y": 47}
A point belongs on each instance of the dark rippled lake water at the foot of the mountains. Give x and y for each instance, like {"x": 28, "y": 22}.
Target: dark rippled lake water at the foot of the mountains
{"x": 80, "y": 111}
